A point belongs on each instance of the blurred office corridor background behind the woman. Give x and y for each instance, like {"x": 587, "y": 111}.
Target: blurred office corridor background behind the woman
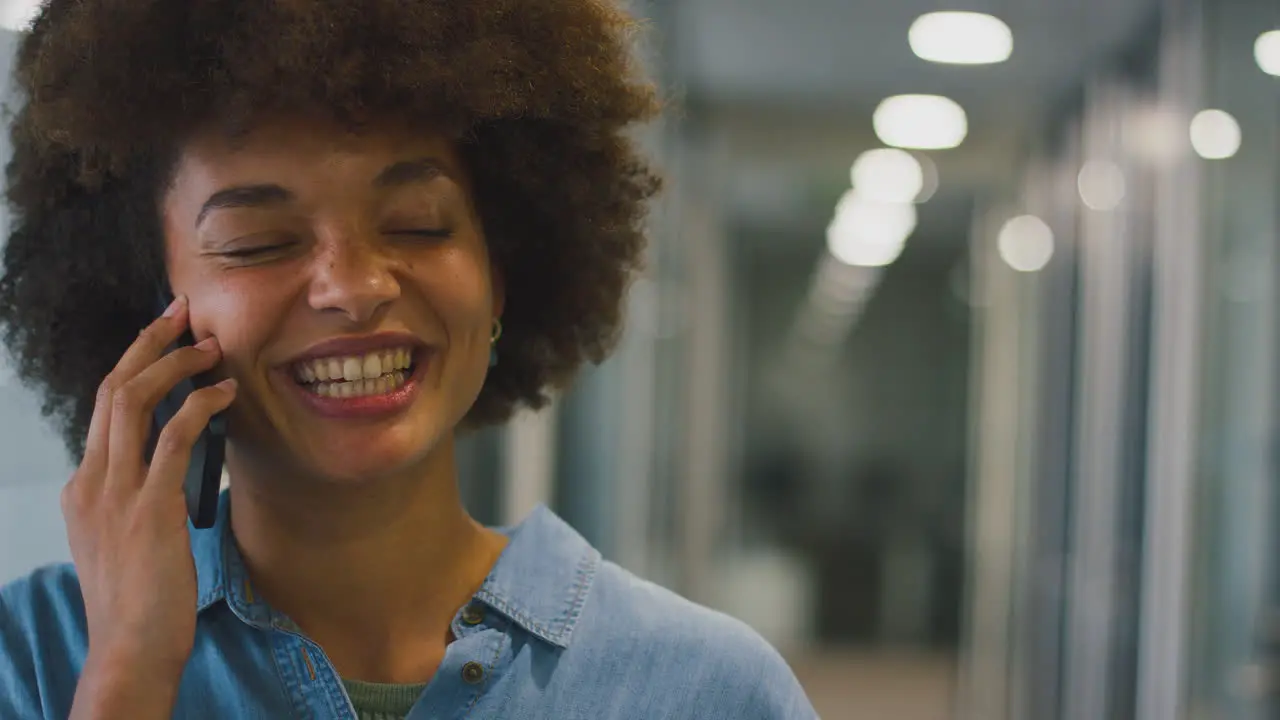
{"x": 953, "y": 371}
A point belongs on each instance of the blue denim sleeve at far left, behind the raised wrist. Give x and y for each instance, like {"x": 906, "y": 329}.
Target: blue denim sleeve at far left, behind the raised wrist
{"x": 43, "y": 642}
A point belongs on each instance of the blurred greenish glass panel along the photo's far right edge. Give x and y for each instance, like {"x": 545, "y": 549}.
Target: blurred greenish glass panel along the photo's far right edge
{"x": 1235, "y": 653}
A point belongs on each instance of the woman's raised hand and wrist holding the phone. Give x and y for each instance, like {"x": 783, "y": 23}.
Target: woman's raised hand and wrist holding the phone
{"x": 127, "y": 518}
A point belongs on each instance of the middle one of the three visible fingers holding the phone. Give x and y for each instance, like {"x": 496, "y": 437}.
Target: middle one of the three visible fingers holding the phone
{"x": 134, "y": 405}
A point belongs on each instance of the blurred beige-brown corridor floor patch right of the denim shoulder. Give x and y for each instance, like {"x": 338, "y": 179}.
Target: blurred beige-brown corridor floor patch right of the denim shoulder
{"x": 874, "y": 686}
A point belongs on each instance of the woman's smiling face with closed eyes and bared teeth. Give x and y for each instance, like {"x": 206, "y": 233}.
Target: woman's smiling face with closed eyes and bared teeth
{"x": 317, "y": 257}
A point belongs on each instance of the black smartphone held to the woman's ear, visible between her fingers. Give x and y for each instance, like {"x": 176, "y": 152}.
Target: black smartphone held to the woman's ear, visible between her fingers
{"x": 205, "y": 472}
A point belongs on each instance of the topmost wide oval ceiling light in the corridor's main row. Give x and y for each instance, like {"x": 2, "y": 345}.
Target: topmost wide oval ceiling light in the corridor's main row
{"x": 962, "y": 39}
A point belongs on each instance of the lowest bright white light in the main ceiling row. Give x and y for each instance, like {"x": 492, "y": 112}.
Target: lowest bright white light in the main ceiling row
{"x": 870, "y": 234}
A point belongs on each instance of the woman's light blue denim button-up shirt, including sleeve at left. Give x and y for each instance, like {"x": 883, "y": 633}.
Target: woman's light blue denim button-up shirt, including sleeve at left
{"x": 555, "y": 634}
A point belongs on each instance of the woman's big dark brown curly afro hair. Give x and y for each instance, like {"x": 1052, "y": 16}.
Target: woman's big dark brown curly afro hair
{"x": 540, "y": 95}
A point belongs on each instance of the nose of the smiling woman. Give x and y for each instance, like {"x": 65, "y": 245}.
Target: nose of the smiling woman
{"x": 354, "y": 277}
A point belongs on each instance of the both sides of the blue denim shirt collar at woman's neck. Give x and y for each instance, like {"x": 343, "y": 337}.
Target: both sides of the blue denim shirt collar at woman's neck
{"x": 541, "y": 581}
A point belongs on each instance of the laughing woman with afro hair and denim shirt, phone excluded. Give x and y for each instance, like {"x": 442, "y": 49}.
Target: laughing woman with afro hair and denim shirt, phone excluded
{"x": 386, "y": 222}
